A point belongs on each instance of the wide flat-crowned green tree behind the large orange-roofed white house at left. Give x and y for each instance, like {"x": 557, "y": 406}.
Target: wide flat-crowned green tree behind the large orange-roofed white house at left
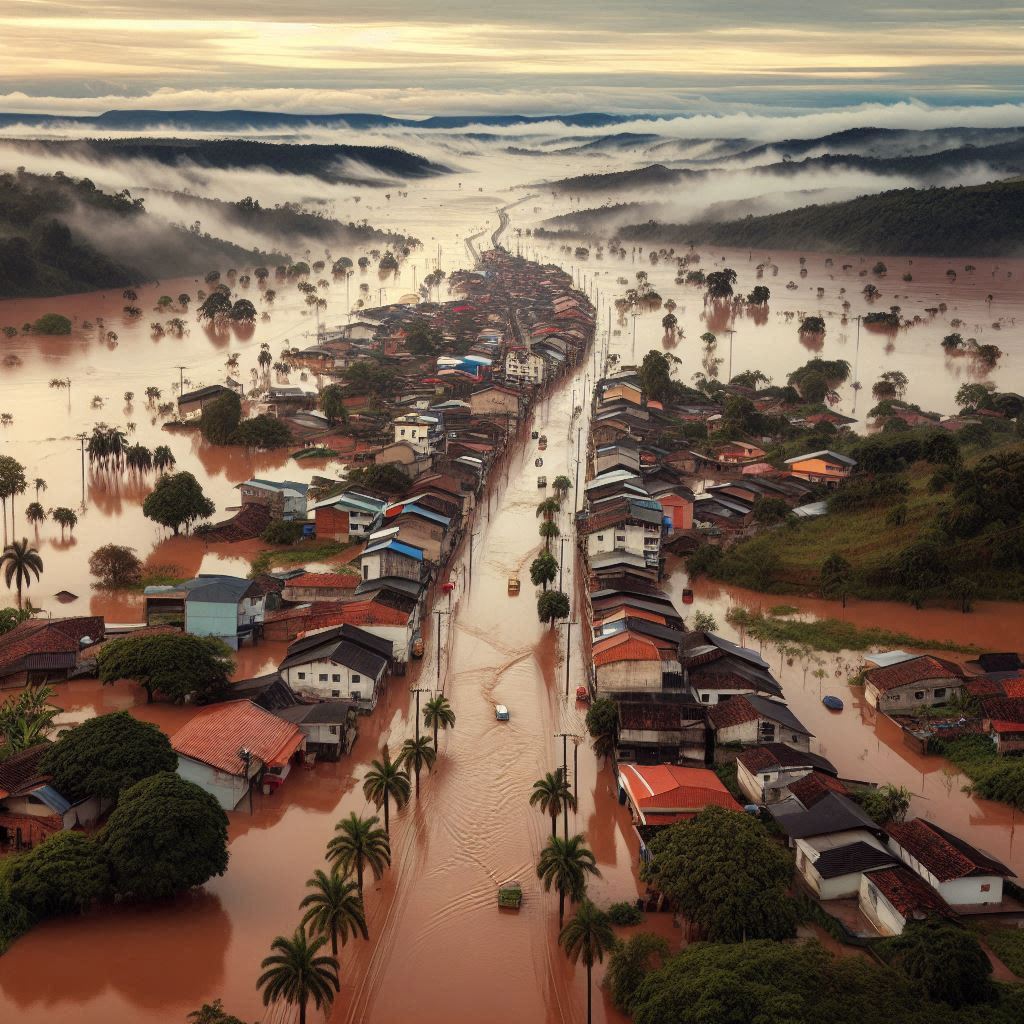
{"x": 177, "y": 665}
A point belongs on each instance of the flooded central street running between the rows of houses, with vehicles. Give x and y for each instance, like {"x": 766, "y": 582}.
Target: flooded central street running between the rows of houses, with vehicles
{"x": 440, "y": 949}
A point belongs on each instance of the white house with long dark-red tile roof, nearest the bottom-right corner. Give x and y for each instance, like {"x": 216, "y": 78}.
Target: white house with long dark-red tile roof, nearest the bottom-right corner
{"x": 960, "y": 873}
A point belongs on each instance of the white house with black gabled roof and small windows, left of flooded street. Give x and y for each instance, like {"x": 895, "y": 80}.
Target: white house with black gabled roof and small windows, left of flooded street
{"x": 345, "y": 662}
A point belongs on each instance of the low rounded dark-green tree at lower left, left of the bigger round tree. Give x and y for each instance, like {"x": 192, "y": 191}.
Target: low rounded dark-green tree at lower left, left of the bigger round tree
{"x": 63, "y": 875}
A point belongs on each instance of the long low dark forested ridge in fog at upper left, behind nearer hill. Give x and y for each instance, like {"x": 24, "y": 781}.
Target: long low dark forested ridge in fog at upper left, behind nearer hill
{"x": 349, "y": 164}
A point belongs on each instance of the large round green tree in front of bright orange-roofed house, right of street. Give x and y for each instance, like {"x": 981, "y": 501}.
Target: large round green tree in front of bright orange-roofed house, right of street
{"x": 727, "y": 875}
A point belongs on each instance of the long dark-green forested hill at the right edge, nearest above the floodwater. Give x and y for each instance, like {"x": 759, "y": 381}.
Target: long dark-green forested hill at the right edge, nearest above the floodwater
{"x": 980, "y": 221}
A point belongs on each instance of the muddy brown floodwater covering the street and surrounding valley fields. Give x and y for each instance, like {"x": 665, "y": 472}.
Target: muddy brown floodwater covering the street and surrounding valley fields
{"x": 439, "y": 947}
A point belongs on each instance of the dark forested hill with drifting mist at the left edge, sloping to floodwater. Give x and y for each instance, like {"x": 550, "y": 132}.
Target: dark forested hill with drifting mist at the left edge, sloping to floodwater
{"x": 60, "y": 236}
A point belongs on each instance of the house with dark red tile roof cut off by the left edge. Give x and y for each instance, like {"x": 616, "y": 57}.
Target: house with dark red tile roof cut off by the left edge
{"x": 45, "y": 651}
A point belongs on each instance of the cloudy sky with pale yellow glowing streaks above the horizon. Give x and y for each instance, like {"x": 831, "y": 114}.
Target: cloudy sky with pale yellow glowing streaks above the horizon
{"x": 413, "y": 57}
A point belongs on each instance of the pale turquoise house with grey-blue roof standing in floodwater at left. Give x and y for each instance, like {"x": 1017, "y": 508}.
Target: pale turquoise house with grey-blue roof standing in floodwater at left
{"x": 223, "y": 607}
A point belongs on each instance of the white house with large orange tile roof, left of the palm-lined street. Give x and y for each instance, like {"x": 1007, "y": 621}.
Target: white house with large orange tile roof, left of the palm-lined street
{"x": 226, "y": 748}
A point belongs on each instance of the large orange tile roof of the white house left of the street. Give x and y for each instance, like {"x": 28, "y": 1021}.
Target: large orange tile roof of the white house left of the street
{"x": 218, "y": 734}
